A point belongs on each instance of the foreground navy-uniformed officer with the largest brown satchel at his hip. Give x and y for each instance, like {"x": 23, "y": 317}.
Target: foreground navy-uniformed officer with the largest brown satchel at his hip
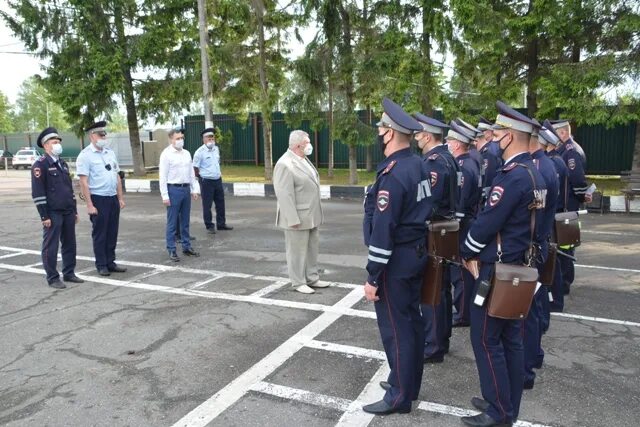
{"x": 497, "y": 343}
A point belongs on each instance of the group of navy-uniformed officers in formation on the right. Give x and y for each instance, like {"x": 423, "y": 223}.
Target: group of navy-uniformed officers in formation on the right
{"x": 499, "y": 185}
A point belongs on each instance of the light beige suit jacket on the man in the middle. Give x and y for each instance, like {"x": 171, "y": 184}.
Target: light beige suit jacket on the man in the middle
{"x": 297, "y": 186}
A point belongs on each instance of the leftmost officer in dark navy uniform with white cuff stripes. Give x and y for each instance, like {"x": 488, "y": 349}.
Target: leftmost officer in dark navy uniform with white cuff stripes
{"x": 53, "y": 196}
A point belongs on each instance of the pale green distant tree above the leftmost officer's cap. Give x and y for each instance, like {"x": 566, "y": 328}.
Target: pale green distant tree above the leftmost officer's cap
{"x": 36, "y": 110}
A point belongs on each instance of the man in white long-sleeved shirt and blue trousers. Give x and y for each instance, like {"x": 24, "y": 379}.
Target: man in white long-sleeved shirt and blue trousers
{"x": 178, "y": 185}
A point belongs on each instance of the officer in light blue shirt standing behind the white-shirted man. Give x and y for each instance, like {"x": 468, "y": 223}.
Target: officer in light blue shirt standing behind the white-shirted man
{"x": 206, "y": 164}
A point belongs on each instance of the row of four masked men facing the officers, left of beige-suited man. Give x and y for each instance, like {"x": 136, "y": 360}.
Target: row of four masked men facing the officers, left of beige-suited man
{"x": 181, "y": 180}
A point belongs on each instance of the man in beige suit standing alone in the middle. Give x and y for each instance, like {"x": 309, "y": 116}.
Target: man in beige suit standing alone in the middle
{"x": 297, "y": 187}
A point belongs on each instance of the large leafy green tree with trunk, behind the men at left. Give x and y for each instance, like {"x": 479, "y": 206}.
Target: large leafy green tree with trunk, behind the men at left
{"x": 94, "y": 49}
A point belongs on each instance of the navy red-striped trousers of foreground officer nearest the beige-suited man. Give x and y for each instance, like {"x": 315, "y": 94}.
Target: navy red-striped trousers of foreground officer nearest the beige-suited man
{"x": 400, "y": 322}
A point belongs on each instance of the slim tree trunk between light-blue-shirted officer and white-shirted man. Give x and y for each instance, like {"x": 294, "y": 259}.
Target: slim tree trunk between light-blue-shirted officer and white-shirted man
{"x": 129, "y": 97}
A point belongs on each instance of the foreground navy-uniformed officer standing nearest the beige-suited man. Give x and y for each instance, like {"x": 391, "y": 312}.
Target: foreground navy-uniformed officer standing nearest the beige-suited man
{"x": 396, "y": 210}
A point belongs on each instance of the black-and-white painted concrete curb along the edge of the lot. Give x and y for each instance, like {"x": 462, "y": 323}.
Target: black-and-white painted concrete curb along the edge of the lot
{"x": 254, "y": 189}
